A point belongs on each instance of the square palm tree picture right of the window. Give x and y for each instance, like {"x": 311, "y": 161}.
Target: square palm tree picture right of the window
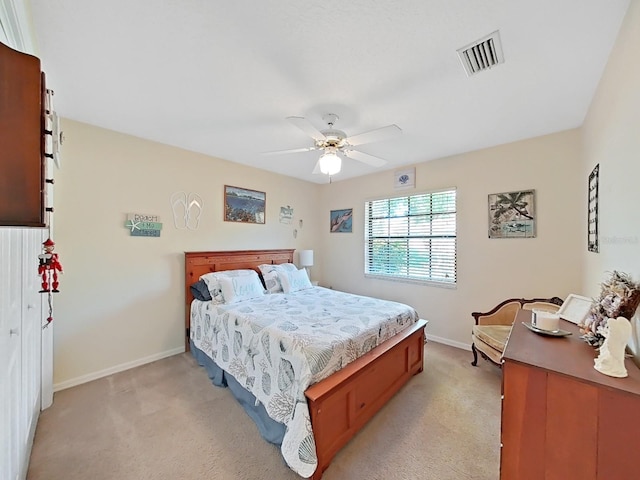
{"x": 512, "y": 214}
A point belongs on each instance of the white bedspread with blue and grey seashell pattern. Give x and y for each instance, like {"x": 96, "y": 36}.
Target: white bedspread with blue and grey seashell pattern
{"x": 280, "y": 344}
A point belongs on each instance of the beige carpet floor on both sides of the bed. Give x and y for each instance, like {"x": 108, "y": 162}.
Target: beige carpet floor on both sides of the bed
{"x": 166, "y": 421}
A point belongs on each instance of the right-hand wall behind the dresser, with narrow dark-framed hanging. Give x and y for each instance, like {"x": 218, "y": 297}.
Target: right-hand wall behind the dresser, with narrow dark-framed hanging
{"x": 611, "y": 138}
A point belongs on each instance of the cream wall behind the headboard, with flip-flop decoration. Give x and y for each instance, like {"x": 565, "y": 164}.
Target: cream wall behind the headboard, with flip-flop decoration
{"x": 121, "y": 300}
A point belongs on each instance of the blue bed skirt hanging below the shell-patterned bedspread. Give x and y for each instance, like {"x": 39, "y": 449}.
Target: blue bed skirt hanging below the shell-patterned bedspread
{"x": 270, "y": 430}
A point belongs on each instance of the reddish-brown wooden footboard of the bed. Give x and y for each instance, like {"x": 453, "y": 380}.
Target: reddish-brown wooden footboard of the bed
{"x": 342, "y": 404}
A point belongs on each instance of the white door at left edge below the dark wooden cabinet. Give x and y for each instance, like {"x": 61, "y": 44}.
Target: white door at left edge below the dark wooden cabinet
{"x": 20, "y": 347}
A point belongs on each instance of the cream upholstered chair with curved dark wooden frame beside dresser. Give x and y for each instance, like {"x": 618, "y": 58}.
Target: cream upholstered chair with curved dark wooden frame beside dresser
{"x": 491, "y": 330}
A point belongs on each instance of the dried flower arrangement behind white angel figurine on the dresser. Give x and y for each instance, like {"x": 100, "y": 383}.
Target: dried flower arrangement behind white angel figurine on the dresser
{"x": 619, "y": 297}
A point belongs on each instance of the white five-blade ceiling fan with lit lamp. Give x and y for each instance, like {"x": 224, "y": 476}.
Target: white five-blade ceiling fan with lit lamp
{"x": 333, "y": 143}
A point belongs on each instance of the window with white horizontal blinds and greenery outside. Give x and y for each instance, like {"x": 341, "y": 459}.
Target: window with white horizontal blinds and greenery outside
{"x": 412, "y": 238}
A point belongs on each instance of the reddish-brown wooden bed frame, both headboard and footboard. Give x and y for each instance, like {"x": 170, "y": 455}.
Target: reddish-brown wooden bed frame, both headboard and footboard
{"x": 341, "y": 404}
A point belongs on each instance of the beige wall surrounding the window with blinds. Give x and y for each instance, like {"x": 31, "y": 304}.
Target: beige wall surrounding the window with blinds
{"x": 489, "y": 270}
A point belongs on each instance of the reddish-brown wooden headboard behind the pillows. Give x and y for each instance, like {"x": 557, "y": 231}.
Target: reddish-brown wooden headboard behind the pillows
{"x": 199, "y": 263}
